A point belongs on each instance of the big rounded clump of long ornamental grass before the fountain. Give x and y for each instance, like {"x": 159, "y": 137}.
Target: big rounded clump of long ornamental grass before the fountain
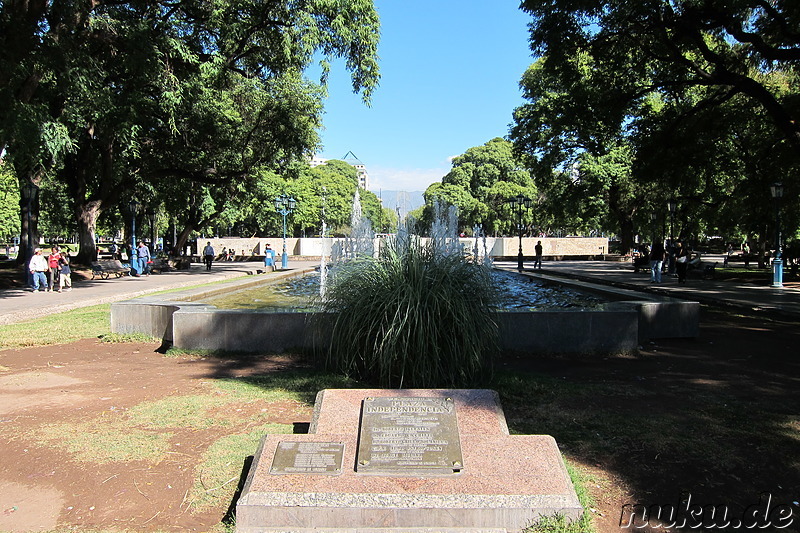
{"x": 413, "y": 317}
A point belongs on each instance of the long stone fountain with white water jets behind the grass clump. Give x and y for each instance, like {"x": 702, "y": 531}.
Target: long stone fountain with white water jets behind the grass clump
{"x": 618, "y": 326}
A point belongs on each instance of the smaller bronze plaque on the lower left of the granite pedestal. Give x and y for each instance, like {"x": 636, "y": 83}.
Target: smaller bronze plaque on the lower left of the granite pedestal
{"x": 308, "y": 458}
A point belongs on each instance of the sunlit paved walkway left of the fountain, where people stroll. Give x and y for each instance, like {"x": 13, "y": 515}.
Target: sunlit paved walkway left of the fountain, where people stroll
{"x": 18, "y": 305}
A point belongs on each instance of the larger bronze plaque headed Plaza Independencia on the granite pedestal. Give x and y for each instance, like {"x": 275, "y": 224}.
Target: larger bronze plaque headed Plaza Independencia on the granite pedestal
{"x": 409, "y": 436}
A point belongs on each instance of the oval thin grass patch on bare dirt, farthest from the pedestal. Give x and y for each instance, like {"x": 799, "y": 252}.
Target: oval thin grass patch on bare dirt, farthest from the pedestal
{"x": 105, "y": 441}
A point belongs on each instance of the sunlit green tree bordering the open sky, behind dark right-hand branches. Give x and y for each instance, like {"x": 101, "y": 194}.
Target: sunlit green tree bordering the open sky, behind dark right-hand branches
{"x": 582, "y": 162}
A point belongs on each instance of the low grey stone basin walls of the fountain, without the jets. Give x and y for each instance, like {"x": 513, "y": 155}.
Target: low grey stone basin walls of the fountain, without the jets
{"x": 617, "y": 327}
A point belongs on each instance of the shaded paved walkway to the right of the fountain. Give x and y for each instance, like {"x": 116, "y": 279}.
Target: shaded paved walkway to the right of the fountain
{"x": 783, "y": 301}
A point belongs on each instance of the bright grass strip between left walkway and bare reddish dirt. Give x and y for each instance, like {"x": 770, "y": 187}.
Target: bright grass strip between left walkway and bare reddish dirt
{"x": 61, "y": 328}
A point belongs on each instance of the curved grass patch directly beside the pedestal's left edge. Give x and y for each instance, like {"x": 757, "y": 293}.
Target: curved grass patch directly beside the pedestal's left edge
{"x": 221, "y": 467}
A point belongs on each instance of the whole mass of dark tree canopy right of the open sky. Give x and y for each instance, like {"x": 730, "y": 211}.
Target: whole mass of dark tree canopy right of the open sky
{"x": 637, "y": 102}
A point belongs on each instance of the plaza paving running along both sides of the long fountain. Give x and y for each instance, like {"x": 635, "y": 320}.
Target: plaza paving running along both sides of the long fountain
{"x": 17, "y": 305}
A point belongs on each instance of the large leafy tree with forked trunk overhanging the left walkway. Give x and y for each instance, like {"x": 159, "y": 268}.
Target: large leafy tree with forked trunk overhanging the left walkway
{"x": 144, "y": 63}
